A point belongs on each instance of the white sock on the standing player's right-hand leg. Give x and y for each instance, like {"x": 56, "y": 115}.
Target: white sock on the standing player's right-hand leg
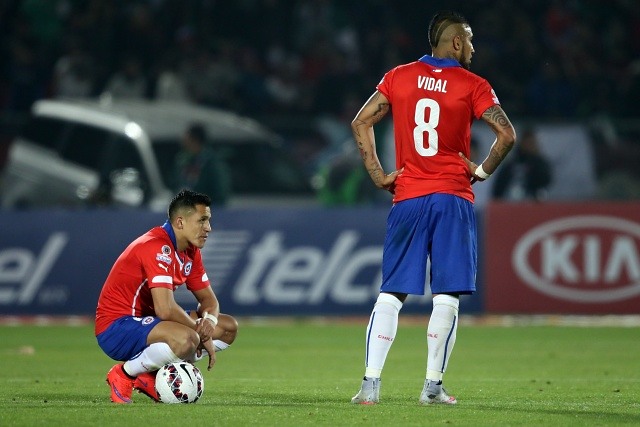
{"x": 441, "y": 335}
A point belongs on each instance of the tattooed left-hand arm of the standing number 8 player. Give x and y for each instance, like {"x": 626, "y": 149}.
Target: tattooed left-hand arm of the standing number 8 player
{"x": 376, "y": 107}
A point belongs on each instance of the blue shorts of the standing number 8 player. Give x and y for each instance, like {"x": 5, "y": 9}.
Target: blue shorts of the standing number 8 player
{"x": 440, "y": 228}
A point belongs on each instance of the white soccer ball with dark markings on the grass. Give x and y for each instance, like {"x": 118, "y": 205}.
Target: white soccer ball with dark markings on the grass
{"x": 179, "y": 382}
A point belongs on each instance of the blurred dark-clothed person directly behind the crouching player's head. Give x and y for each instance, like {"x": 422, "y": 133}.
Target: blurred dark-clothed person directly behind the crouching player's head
{"x": 198, "y": 167}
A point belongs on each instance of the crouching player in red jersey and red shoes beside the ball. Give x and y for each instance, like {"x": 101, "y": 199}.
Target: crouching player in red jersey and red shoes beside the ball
{"x": 138, "y": 320}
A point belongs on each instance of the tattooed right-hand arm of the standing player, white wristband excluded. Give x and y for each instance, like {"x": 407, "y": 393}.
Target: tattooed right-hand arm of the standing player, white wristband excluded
{"x": 498, "y": 121}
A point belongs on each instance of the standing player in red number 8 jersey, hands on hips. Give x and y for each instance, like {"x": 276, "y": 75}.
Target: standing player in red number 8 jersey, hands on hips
{"x": 433, "y": 101}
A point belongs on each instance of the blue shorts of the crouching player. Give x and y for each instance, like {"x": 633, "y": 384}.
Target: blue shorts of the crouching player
{"x": 126, "y": 337}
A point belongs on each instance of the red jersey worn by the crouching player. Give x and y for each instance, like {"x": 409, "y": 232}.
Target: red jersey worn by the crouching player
{"x": 150, "y": 261}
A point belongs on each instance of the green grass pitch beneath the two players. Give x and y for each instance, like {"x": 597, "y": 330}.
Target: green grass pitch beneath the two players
{"x": 304, "y": 373}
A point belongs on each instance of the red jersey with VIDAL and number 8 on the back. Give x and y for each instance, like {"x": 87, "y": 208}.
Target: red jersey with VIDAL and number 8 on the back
{"x": 433, "y": 103}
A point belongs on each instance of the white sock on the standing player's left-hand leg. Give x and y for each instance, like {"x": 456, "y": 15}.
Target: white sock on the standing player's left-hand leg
{"x": 381, "y": 332}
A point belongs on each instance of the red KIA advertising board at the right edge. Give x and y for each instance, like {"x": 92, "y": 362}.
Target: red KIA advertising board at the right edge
{"x": 579, "y": 258}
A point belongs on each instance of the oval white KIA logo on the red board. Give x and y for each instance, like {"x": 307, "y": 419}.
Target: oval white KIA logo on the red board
{"x": 587, "y": 259}
